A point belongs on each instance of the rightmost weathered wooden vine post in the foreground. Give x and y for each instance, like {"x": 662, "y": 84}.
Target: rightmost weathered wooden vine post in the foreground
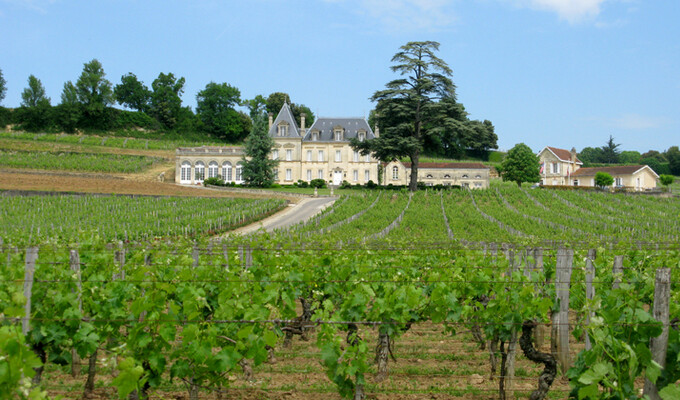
{"x": 660, "y": 311}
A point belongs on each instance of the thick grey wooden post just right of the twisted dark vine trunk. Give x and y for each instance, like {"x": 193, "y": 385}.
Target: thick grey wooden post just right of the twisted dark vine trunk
{"x": 560, "y": 339}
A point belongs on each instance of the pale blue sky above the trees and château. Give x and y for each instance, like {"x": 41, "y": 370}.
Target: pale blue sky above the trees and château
{"x": 564, "y": 73}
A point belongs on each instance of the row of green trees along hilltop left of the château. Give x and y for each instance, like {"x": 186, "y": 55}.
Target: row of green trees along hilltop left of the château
{"x": 157, "y": 111}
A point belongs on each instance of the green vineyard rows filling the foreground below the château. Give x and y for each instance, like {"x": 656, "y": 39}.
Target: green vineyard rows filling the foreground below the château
{"x": 502, "y": 293}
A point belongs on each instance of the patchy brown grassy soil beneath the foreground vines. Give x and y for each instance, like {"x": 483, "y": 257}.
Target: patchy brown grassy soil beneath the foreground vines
{"x": 430, "y": 365}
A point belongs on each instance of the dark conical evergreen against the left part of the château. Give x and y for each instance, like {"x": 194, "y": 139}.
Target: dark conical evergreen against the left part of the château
{"x": 258, "y": 169}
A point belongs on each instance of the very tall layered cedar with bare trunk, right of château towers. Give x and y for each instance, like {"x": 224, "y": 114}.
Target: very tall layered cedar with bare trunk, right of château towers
{"x": 411, "y": 108}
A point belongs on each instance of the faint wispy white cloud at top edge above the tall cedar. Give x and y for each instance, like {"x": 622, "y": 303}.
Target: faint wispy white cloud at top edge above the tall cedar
{"x": 406, "y": 15}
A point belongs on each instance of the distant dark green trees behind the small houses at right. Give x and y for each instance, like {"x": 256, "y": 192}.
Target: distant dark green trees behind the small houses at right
{"x": 666, "y": 162}
